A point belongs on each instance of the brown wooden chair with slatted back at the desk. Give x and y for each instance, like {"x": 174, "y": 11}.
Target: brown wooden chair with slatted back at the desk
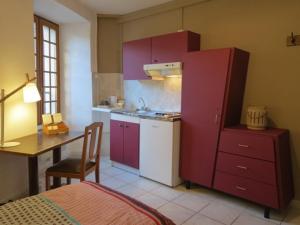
{"x": 89, "y": 162}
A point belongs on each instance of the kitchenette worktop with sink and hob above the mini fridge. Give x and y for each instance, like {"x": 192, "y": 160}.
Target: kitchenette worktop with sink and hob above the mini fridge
{"x": 153, "y": 115}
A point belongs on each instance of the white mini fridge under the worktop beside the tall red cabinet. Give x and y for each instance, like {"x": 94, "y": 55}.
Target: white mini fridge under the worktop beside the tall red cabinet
{"x": 159, "y": 151}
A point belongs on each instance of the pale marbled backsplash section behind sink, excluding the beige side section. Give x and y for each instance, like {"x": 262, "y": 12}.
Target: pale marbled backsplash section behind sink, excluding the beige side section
{"x": 158, "y": 95}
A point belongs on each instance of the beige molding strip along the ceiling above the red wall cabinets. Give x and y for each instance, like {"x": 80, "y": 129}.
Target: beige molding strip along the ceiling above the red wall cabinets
{"x": 169, "y": 6}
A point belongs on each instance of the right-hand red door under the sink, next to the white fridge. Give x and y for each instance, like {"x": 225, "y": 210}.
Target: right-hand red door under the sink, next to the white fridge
{"x": 131, "y": 144}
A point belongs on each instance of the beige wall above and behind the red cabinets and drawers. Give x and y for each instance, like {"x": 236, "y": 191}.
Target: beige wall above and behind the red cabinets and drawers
{"x": 261, "y": 27}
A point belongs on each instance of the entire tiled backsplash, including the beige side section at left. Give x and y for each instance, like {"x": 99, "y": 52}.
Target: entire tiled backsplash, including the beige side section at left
{"x": 158, "y": 95}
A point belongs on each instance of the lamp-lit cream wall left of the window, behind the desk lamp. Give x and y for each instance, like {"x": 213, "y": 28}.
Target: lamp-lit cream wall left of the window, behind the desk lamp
{"x": 16, "y": 47}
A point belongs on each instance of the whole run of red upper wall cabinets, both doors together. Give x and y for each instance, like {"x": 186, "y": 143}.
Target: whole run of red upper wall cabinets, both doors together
{"x": 160, "y": 49}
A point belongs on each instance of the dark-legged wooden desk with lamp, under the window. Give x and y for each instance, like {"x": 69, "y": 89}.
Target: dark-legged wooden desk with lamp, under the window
{"x": 37, "y": 144}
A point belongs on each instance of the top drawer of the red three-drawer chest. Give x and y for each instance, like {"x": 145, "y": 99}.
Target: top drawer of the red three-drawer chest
{"x": 254, "y": 146}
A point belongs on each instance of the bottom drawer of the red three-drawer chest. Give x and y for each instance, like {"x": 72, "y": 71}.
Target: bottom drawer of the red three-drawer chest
{"x": 260, "y": 193}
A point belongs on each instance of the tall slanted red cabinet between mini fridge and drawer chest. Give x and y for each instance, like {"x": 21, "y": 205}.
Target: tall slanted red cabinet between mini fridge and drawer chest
{"x": 213, "y": 84}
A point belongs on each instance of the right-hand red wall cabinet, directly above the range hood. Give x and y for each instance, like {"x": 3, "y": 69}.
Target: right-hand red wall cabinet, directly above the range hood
{"x": 171, "y": 47}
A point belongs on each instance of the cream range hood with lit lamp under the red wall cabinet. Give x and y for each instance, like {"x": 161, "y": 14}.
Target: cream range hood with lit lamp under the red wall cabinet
{"x": 163, "y": 70}
